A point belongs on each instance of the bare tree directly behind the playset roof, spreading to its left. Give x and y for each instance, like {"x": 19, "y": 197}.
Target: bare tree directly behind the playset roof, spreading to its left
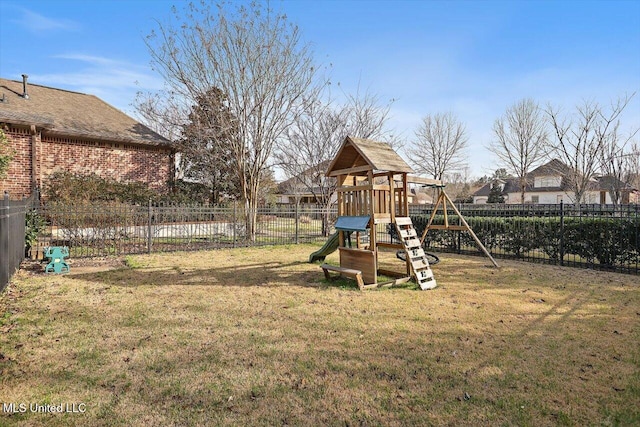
{"x": 316, "y": 136}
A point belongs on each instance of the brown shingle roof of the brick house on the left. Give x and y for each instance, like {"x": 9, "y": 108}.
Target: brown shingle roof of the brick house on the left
{"x": 64, "y": 113}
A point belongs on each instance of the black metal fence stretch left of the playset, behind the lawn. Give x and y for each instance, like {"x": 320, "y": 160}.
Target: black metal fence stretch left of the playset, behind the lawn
{"x": 101, "y": 229}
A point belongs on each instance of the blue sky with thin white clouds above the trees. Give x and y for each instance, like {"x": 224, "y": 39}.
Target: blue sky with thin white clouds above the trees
{"x": 473, "y": 58}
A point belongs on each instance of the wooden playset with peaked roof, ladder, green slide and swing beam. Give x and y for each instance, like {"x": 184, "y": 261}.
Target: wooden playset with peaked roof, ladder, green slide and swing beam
{"x": 373, "y": 190}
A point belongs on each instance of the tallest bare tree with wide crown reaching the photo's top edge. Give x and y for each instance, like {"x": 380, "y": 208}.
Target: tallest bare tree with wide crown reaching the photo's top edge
{"x": 256, "y": 59}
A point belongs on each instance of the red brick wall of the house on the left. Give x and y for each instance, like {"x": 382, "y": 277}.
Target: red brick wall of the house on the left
{"x": 122, "y": 162}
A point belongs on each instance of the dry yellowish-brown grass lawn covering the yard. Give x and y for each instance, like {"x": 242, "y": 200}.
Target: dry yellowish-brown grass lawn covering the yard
{"x": 257, "y": 337}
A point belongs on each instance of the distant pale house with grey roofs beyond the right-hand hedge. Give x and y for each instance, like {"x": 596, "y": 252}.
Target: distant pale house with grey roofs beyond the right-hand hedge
{"x": 547, "y": 185}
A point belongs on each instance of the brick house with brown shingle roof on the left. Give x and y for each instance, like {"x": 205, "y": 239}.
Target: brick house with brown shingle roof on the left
{"x": 55, "y": 130}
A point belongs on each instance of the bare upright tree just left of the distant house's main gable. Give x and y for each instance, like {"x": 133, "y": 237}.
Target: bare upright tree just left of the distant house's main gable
{"x": 520, "y": 139}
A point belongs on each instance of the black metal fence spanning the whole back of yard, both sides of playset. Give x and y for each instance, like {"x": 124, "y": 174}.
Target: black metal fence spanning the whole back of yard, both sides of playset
{"x": 592, "y": 236}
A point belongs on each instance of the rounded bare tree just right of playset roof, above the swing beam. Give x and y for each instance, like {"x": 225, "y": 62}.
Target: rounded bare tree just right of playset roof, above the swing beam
{"x": 440, "y": 145}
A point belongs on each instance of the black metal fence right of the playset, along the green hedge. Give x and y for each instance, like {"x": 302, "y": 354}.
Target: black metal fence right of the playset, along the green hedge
{"x": 592, "y": 236}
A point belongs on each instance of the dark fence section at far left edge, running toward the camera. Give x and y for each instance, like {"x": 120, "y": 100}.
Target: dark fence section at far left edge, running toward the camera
{"x": 12, "y": 235}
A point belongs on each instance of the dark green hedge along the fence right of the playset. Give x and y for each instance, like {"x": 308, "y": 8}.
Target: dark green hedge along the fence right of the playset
{"x": 609, "y": 242}
